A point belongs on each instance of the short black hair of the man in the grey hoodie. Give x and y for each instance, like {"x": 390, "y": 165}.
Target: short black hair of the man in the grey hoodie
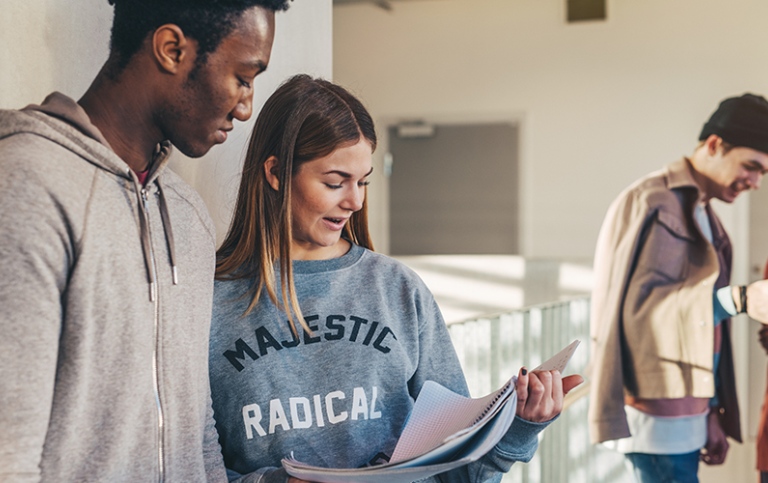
{"x": 206, "y": 21}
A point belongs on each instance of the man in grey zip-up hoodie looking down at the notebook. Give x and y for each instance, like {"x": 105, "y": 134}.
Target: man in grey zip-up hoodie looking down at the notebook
{"x": 107, "y": 257}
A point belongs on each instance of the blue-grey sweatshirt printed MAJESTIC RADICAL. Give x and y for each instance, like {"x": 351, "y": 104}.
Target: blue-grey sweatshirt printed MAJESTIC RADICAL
{"x": 340, "y": 397}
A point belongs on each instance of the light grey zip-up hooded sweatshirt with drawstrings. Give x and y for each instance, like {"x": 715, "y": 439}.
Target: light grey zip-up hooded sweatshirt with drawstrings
{"x": 103, "y": 358}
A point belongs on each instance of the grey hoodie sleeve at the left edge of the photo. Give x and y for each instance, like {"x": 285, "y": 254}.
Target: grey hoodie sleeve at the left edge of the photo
{"x": 36, "y": 253}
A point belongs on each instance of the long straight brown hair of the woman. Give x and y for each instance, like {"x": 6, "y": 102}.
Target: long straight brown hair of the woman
{"x": 305, "y": 119}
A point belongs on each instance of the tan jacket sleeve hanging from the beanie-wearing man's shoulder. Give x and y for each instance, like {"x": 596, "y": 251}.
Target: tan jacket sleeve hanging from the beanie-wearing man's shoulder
{"x": 617, "y": 247}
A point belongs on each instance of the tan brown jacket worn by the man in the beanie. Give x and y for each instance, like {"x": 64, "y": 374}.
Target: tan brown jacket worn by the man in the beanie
{"x": 652, "y": 329}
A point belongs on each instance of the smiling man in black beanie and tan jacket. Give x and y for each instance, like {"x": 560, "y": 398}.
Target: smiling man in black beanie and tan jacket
{"x": 663, "y": 390}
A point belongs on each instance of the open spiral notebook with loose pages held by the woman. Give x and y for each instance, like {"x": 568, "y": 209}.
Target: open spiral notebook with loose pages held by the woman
{"x": 444, "y": 431}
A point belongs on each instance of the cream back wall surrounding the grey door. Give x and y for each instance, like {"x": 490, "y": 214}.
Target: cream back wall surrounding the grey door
{"x": 600, "y": 104}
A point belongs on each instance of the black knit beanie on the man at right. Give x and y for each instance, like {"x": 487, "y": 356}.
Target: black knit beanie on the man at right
{"x": 740, "y": 121}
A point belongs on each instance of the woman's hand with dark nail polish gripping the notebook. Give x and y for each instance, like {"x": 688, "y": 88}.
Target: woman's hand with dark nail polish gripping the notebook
{"x": 540, "y": 393}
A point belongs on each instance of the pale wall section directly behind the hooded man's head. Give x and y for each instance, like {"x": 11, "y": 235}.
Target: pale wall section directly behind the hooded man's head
{"x": 53, "y": 45}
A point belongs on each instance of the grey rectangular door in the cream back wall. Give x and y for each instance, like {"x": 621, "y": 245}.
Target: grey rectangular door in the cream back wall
{"x": 453, "y": 189}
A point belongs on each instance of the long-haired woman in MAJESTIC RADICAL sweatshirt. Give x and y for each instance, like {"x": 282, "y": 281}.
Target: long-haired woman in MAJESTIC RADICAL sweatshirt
{"x": 320, "y": 346}
